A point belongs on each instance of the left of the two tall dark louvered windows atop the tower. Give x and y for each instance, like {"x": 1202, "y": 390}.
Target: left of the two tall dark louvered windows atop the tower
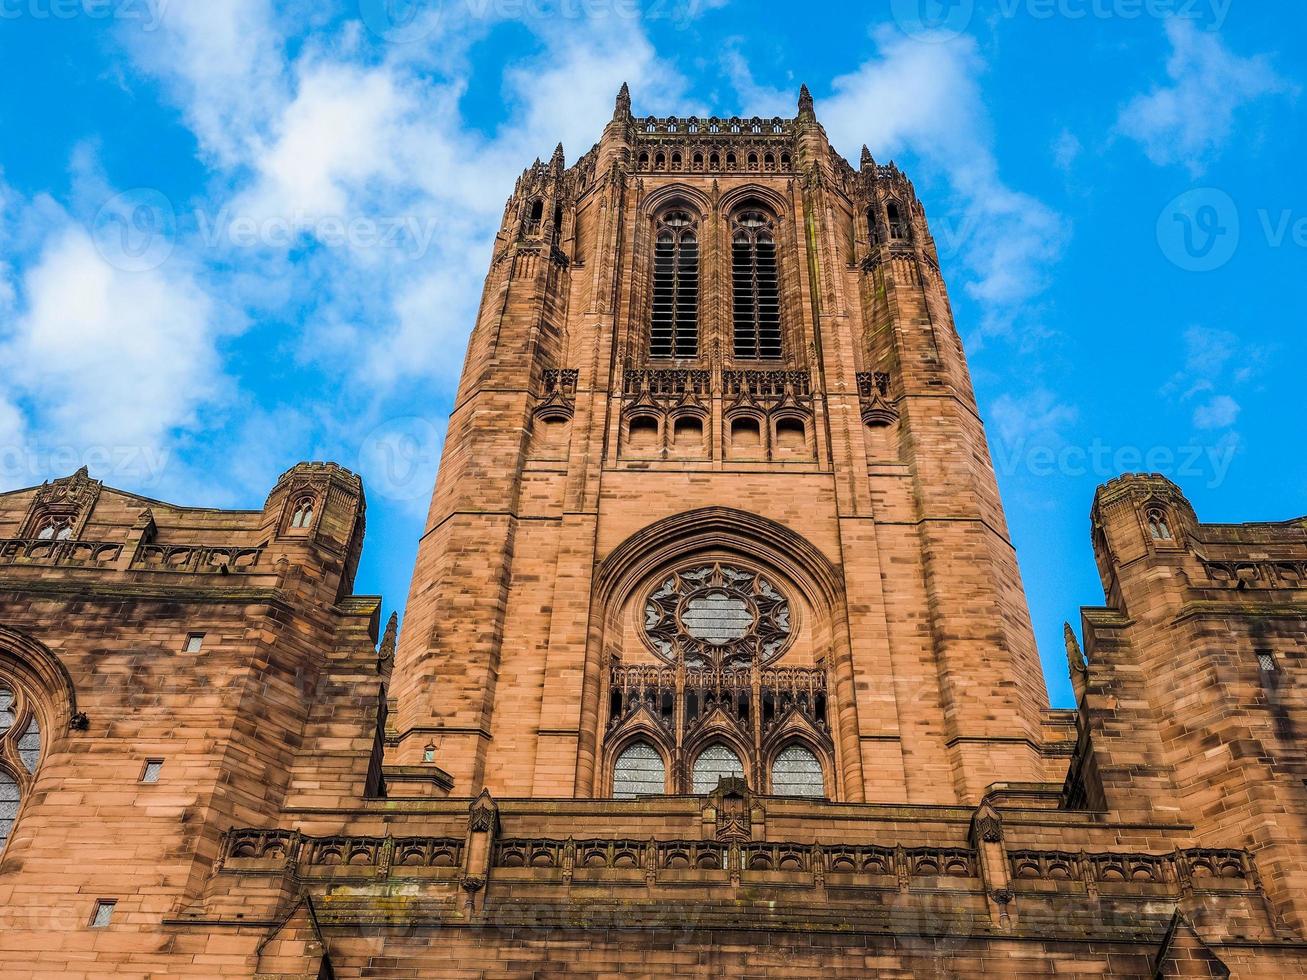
{"x": 675, "y": 325}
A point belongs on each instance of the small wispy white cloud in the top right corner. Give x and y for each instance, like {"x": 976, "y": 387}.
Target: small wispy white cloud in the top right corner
{"x": 1191, "y": 121}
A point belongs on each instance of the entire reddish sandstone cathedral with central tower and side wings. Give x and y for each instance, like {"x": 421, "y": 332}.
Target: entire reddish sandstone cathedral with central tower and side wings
{"x": 717, "y": 659}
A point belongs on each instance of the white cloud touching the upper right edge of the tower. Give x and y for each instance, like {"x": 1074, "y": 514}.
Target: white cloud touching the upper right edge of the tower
{"x": 926, "y": 100}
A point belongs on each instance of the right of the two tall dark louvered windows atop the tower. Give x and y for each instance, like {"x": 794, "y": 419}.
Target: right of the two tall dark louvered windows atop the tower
{"x": 756, "y": 288}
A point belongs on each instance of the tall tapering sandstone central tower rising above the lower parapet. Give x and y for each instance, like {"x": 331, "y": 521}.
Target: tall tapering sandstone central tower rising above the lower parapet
{"x": 716, "y": 493}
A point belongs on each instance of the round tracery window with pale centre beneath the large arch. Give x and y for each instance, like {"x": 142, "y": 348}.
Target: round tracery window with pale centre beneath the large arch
{"x": 717, "y": 615}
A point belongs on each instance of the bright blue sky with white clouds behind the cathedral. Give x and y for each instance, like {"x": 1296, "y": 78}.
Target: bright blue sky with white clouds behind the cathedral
{"x": 240, "y": 235}
